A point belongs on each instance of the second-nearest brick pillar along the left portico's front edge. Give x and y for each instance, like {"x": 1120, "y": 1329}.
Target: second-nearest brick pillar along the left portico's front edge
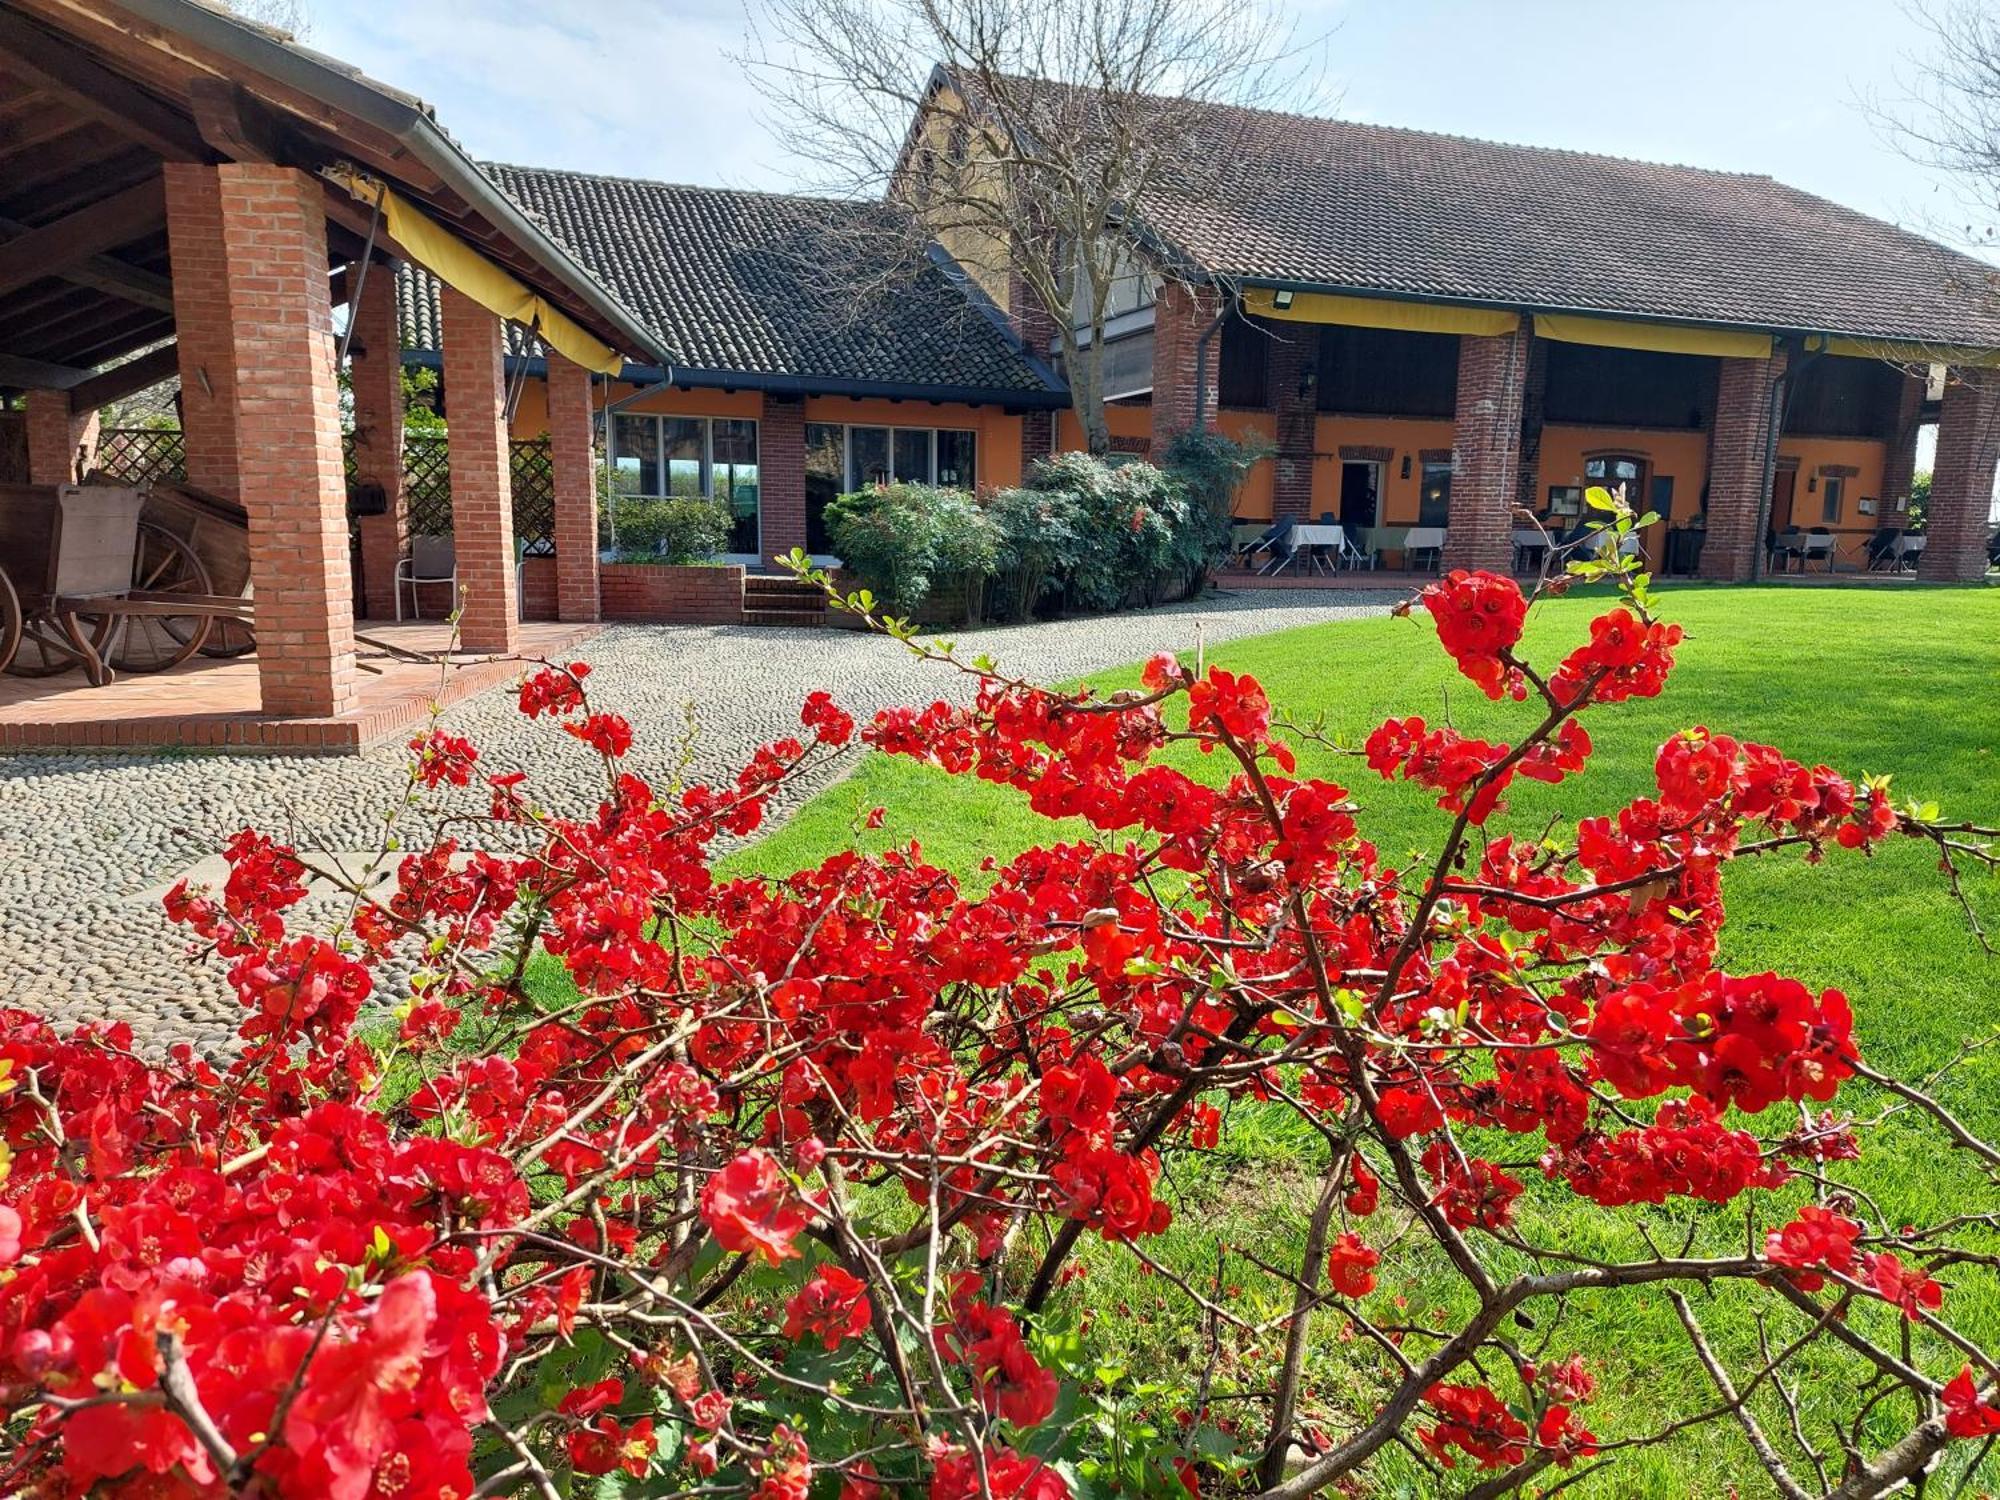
{"x": 483, "y": 491}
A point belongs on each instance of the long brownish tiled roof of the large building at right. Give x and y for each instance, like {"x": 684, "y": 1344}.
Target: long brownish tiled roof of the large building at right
{"x": 1363, "y": 207}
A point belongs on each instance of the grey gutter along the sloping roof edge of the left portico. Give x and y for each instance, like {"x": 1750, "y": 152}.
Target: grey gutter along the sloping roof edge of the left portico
{"x": 413, "y": 129}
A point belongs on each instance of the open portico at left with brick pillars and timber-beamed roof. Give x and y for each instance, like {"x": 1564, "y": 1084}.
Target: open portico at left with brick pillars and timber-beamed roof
{"x": 187, "y": 193}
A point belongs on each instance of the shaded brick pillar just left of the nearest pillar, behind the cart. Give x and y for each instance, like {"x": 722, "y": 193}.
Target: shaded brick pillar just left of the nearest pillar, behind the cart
{"x": 203, "y": 335}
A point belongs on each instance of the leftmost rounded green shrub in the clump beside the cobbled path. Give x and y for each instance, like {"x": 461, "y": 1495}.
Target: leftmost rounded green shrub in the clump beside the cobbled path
{"x": 907, "y": 539}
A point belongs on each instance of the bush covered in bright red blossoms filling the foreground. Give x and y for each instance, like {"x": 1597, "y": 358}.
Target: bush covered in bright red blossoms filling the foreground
{"x": 789, "y": 1191}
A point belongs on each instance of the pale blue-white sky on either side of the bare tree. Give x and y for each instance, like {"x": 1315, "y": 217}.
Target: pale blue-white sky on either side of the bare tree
{"x": 647, "y": 87}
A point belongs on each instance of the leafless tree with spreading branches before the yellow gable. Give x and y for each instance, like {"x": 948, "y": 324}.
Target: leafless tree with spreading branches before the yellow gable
{"x": 1029, "y": 137}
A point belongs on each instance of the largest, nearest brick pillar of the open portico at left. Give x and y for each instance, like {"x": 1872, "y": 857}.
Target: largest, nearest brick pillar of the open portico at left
{"x": 287, "y": 427}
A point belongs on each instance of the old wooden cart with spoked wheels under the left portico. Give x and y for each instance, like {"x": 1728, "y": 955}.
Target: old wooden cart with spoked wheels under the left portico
{"x": 91, "y": 585}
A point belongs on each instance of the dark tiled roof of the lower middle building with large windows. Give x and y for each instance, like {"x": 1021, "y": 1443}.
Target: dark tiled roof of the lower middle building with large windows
{"x": 767, "y": 285}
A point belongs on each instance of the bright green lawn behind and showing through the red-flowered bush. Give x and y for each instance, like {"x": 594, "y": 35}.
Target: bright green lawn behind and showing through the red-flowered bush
{"x": 1867, "y": 681}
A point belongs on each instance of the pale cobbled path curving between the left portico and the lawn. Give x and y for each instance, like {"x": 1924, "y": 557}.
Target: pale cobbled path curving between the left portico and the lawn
{"x": 87, "y": 843}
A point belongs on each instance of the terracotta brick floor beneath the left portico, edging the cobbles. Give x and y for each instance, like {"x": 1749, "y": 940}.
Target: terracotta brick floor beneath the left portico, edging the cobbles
{"x": 213, "y": 705}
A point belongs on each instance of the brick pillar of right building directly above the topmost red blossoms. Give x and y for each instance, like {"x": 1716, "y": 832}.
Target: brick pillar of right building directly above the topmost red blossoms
{"x": 1493, "y": 375}
